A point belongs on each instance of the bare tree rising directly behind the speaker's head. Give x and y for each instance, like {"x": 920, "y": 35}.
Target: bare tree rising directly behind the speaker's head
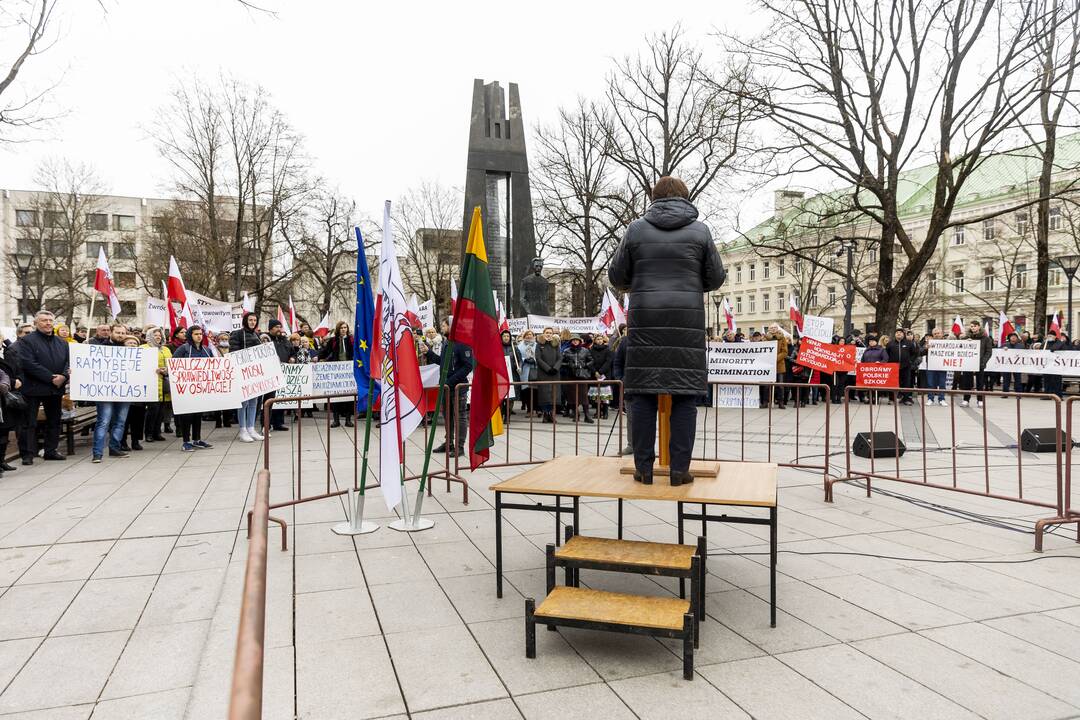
{"x": 668, "y": 114}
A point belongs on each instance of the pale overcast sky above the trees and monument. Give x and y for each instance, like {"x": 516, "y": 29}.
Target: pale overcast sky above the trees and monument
{"x": 381, "y": 91}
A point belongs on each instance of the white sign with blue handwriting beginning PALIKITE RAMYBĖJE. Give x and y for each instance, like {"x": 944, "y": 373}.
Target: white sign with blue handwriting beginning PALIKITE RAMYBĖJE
{"x": 112, "y": 374}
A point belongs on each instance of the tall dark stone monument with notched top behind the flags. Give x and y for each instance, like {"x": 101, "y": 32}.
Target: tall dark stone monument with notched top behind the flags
{"x": 497, "y": 179}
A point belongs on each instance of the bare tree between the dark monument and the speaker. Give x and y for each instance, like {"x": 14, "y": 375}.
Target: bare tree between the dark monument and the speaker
{"x": 582, "y": 198}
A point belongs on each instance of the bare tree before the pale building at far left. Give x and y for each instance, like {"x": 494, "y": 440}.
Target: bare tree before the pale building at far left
{"x": 67, "y": 214}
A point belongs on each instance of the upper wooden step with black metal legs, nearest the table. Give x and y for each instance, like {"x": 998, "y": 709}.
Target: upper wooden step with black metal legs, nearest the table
{"x": 646, "y": 559}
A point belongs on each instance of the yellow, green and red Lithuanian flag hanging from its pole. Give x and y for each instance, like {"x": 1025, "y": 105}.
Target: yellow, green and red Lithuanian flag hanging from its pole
{"x": 477, "y": 325}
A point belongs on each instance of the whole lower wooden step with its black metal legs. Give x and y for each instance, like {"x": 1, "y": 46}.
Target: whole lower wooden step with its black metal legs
{"x": 615, "y": 613}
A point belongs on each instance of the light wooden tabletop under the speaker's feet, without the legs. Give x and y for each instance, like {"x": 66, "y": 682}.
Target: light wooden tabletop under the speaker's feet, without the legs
{"x": 750, "y": 484}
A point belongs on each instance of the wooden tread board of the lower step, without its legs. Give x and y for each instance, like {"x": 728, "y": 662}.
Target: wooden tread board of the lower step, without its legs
{"x": 585, "y": 605}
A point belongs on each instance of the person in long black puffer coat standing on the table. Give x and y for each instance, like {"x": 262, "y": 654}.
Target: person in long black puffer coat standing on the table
{"x": 668, "y": 262}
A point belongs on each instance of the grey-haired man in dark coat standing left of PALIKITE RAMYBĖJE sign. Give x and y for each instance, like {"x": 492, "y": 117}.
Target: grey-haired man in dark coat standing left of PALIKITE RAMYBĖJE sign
{"x": 45, "y": 368}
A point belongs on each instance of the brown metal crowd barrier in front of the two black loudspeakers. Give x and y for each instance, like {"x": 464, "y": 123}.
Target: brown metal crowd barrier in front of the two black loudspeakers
{"x": 991, "y": 484}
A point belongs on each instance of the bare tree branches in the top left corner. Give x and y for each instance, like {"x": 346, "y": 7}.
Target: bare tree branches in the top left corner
{"x": 25, "y": 29}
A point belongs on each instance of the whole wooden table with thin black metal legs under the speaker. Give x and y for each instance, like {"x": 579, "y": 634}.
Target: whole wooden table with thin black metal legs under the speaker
{"x": 739, "y": 484}
